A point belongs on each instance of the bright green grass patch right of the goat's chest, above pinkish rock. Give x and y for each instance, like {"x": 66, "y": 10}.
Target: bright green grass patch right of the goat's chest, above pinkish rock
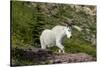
{"x": 79, "y": 46}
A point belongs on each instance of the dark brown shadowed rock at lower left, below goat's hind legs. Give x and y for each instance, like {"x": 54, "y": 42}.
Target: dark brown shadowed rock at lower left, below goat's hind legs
{"x": 31, "y": 54}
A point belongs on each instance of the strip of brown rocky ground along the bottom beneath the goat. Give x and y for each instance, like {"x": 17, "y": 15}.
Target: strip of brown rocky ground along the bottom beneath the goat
{"x": 39, "y": 56}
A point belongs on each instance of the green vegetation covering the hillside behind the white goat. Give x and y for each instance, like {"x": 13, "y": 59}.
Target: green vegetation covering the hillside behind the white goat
{"x": 30, "y": 19}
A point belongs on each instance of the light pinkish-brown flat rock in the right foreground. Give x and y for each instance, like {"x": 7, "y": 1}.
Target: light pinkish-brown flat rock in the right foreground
{"x": 73, "y": 58}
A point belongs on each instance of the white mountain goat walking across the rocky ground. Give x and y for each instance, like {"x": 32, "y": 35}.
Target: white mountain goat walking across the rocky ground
{"x": 54, "y": 37}
